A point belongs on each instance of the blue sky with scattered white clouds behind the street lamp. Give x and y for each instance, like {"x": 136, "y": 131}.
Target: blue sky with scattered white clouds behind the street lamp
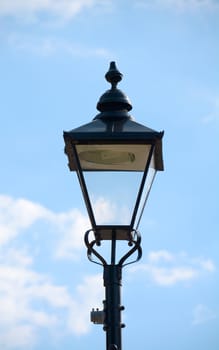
{"x": 53, "y": 58}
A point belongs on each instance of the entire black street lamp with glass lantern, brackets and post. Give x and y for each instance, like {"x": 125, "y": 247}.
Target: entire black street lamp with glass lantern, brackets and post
{"x": 116, "y": 160}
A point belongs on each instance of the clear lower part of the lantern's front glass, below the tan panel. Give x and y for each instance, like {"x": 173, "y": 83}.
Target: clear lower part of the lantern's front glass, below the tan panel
{"x": 113, "y": 195}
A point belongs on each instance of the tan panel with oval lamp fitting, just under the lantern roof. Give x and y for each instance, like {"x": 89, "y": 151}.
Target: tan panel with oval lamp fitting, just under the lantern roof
{"x": 113, "y": 157}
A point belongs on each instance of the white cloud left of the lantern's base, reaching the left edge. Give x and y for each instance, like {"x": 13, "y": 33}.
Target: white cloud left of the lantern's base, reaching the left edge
{"x": 18, "y": 215}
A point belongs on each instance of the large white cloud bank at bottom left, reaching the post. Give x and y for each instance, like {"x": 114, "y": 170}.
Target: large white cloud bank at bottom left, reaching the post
{"x": 29, "y": 301}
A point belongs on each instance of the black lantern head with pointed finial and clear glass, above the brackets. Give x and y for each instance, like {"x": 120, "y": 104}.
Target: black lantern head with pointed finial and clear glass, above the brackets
{"x": 110, "y": 145}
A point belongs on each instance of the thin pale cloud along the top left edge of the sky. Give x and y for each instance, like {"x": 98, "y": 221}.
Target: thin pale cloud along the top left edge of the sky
{"x": 60, "y": 9}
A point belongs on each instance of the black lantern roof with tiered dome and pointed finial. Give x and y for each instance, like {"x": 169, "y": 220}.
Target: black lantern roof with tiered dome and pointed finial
{"x": 114, "y": 124}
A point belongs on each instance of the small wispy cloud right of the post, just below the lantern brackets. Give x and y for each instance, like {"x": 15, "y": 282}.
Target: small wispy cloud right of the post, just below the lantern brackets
{"x": 167, "y": 269}
